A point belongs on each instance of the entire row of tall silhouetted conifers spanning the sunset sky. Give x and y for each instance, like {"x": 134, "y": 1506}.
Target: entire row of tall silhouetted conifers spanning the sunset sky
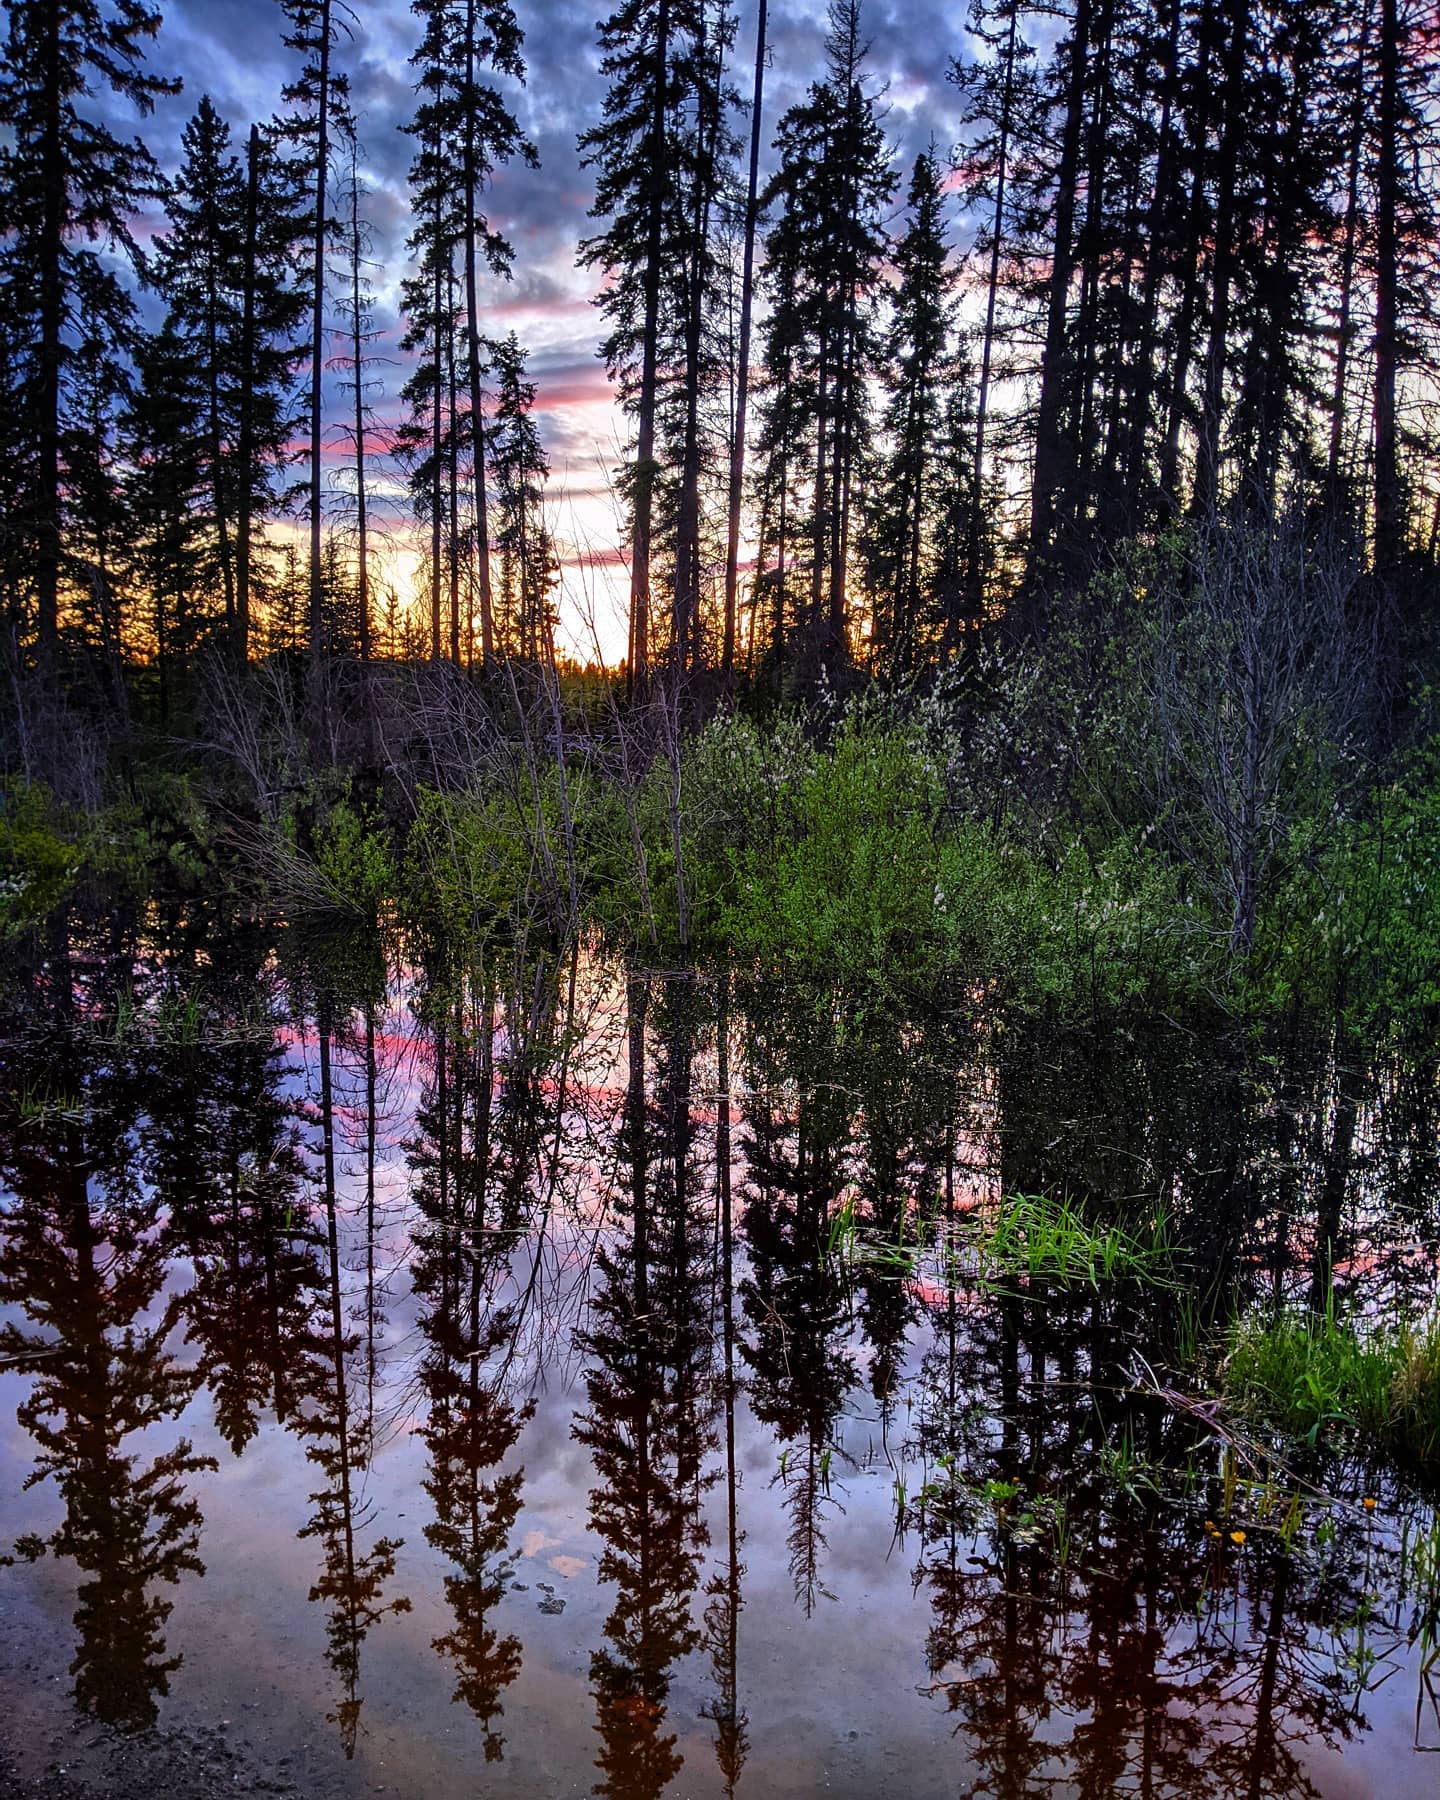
{"x": 1178, "y": 269}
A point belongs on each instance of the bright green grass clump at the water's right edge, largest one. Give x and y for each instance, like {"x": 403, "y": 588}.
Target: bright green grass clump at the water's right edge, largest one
{"x": 1309, "y": 1376}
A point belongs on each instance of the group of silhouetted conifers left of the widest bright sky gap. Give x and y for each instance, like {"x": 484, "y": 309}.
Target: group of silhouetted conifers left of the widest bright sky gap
{"x": 143, "y": 467}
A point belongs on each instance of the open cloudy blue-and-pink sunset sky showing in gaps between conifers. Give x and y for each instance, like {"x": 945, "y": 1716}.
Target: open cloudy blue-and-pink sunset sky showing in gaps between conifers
{"x": 233, "y": 51}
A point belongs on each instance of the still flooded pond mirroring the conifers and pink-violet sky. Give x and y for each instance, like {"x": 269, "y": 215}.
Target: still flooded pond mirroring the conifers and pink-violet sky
{"x": 579, "y": 1380}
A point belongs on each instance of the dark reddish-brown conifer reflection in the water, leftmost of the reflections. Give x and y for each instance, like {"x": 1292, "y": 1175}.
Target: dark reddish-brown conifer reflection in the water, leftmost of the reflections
{"x": 84, "y": 1261}
